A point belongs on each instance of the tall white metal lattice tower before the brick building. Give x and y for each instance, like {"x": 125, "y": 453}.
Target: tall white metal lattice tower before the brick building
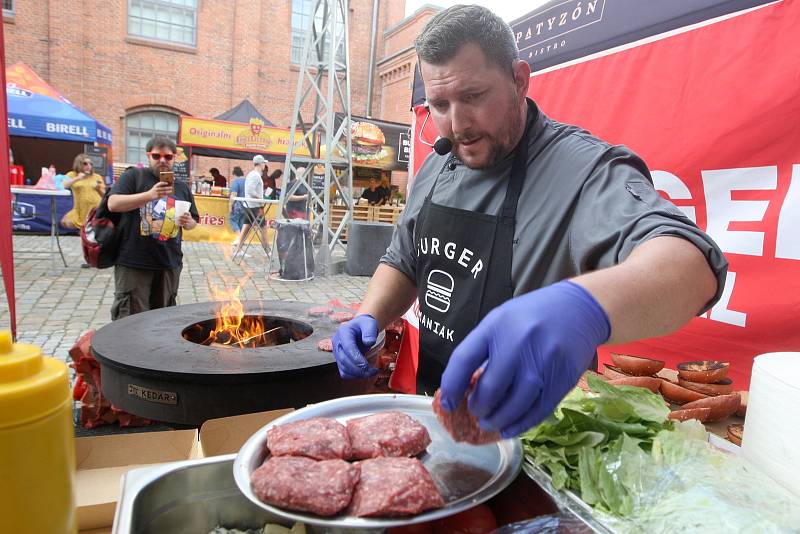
{"x": 324, "y": 78}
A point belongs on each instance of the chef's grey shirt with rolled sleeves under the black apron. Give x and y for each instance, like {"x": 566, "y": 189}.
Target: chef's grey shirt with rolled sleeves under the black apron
{"x": 584, "y": 206}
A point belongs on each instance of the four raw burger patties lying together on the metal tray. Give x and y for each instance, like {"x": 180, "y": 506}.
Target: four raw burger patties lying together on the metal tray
{"x": 308, "y": 468}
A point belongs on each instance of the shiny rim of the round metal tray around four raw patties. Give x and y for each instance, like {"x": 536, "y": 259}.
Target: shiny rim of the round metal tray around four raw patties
{"x": 509, "y": 453}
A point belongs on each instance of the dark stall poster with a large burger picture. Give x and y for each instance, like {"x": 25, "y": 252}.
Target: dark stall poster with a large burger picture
{"x": 378, "y": 144}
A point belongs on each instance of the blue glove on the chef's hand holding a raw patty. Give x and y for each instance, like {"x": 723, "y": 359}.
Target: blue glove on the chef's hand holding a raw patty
{"x": 536, "y": 347}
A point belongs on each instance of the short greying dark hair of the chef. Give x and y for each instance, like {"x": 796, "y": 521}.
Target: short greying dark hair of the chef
{"x": 448, "y": 31}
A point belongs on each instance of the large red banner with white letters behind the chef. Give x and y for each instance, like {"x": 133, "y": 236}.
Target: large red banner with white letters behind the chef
{"x": 713, "y": 111}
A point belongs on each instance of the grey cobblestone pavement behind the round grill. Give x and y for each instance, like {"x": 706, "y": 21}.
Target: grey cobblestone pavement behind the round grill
{"x": 55, "y": 305}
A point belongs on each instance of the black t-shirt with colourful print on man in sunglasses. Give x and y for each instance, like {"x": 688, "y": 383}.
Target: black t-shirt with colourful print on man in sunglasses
{"x": 155, "y": 244}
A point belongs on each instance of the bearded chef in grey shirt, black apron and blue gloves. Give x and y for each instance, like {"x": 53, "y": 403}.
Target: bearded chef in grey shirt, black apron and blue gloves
{"x": 529, "y": 245}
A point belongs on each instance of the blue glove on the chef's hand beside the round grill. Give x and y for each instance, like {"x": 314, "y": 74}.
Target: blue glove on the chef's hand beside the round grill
{"x": 351, "y": 342}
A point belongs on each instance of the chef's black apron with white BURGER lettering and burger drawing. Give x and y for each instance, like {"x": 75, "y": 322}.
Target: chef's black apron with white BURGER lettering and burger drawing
{"x": 463, "y": 268}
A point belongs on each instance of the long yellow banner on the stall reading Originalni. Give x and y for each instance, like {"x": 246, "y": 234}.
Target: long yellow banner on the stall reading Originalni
{"x": 253, "y": 137}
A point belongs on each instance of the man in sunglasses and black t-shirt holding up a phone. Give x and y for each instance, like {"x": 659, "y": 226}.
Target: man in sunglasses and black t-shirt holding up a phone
{"x": 148, "y": 268}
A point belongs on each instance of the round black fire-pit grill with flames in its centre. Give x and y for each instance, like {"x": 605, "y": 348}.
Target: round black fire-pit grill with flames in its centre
{"x": 176, "y": 365}
